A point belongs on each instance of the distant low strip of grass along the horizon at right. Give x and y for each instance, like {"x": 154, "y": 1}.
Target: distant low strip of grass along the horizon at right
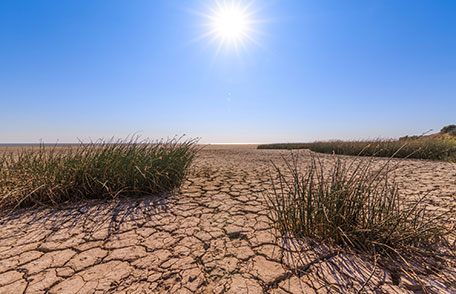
{"x": 433, "y": 148}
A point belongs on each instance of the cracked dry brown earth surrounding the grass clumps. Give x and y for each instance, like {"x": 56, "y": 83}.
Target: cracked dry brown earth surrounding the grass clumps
{"x": 214, "y": 237}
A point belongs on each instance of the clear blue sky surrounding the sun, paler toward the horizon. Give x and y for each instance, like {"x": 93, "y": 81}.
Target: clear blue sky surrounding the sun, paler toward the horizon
{"x": 316, "y": 70}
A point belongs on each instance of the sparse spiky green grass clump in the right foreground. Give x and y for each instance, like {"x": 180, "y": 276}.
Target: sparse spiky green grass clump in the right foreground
{"x": 353, "y": 205}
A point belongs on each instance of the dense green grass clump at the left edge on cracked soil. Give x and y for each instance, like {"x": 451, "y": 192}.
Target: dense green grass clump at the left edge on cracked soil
{"x": 98, "y": 170}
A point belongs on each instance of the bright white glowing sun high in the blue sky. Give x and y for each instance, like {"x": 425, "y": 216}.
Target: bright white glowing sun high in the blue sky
{"x": 230, "y": 23}
